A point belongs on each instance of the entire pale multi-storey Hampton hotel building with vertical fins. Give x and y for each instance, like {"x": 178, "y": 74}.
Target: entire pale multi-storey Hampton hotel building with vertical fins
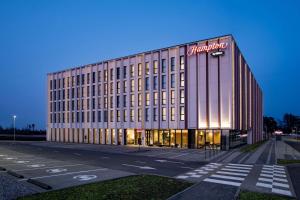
{"x": 195, "y": 95}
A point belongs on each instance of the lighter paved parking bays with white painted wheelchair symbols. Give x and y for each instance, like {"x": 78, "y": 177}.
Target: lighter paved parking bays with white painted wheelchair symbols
{"x": 55, "y": 174}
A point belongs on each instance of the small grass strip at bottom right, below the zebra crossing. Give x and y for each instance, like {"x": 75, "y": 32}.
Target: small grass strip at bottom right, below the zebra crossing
{"x": 246, "y": 195}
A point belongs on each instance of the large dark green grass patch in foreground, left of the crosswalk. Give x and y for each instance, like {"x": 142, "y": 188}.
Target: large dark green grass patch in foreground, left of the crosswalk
{"x": 132, "y": 187}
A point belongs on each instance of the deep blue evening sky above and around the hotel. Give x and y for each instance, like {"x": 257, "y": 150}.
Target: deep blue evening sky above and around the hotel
{"x": 37, "y": 37}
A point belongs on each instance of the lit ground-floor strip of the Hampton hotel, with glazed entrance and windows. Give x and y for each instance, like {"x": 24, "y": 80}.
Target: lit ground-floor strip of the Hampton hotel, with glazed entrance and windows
{"x": 215, "y": 139}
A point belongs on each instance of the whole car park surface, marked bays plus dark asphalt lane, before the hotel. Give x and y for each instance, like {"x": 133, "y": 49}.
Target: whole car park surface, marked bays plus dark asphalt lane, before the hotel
{"x": 50, "y": 168}
